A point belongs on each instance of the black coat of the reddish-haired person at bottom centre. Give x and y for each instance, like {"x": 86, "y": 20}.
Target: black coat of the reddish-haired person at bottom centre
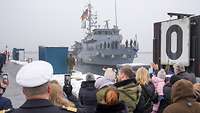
{"x": 118, "y": 108}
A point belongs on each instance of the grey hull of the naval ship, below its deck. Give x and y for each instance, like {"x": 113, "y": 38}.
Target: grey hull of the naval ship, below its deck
{"x": 108, "y": 57}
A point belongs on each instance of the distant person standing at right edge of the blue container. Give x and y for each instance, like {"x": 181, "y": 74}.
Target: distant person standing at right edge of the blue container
{"x": 71, "y": 63}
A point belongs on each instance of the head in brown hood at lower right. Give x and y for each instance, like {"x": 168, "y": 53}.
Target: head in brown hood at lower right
{"x": 182, "y": 89}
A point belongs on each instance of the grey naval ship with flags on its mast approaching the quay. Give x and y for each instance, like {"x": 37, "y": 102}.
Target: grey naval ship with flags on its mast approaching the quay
{"x": 103, "y": 45}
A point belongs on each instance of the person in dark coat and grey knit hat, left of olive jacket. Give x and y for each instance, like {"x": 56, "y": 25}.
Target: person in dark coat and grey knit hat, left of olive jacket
{"x": 87, "y": 94}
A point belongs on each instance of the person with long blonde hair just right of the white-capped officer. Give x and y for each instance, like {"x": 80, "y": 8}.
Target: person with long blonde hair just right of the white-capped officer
{"x": 56, "y": 95}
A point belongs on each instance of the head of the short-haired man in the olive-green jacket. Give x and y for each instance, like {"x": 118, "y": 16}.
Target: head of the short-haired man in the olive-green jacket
{"x": 126, "y": 73}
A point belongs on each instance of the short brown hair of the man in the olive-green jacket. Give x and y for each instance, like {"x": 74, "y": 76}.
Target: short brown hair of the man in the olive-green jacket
{"x": 127, "y": 70}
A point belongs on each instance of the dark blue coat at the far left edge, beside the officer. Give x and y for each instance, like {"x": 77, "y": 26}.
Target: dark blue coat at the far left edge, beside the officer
{"x": 5, "y": 103}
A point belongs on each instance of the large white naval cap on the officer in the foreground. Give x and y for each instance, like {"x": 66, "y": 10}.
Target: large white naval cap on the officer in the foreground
{"x": 34, "y": 74}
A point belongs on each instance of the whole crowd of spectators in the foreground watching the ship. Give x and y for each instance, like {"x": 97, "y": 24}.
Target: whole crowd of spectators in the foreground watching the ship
{"x": 126, "y": 91}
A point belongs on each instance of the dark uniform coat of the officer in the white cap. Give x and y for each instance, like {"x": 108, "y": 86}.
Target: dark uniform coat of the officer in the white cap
{"x": 39, "y": 106}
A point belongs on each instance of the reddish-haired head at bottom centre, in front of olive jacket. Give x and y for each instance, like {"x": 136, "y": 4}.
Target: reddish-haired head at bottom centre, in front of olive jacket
{"x": 111, "y": 96}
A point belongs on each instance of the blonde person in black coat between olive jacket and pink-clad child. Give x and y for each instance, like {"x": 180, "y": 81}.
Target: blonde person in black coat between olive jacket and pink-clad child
{"x": 148, "y": 91}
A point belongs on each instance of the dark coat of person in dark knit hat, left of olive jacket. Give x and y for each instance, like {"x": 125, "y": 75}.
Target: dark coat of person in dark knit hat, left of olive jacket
{"x": 87, "y": 93}
